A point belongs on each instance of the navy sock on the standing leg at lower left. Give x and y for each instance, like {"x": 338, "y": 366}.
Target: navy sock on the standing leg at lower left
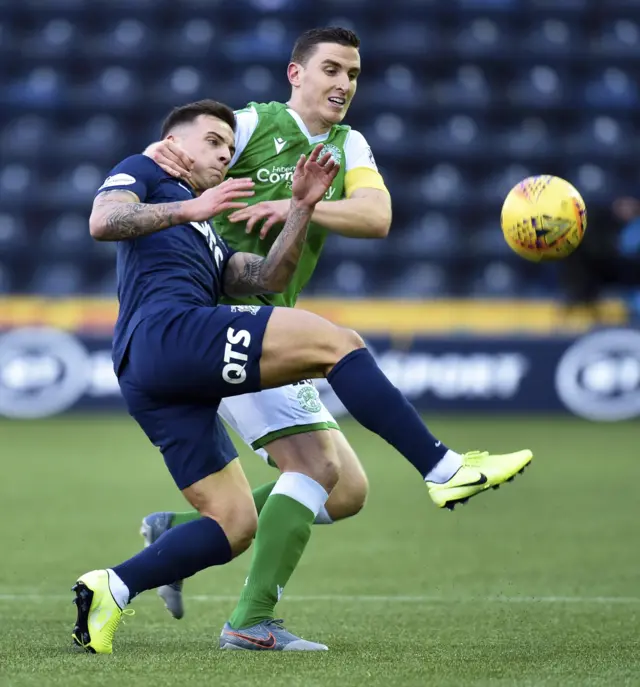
{"x": 180, "y": 552}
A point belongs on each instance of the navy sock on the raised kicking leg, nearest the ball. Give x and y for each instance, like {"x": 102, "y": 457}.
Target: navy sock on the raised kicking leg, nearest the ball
{"x": 380, "y": 407}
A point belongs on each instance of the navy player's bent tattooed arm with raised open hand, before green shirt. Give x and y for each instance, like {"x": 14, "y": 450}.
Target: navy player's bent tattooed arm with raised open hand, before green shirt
{"x": 248, "y": 274}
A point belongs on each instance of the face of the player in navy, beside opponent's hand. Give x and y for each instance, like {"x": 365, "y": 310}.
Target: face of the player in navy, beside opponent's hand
{"x": 211, "y": 143}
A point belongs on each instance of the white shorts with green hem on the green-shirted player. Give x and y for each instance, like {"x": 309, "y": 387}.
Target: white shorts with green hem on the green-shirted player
{"x": 271, "y": 414}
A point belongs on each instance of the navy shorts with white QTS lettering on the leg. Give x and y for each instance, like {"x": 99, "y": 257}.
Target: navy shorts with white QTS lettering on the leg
{"x": 179, "y": 365}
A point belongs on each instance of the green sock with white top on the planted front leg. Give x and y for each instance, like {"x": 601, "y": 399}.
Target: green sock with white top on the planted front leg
{"x": 284, "y": 528}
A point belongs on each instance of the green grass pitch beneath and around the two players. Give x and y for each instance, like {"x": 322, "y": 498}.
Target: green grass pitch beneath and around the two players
{"x": 535, "y": 584}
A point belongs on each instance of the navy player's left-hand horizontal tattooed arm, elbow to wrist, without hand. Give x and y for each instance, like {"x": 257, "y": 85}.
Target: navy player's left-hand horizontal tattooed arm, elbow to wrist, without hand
{"x": 117, "y": 216}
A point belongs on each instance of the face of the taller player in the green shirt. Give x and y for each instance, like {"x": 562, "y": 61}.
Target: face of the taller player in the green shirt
{"x": 328, "y": 81}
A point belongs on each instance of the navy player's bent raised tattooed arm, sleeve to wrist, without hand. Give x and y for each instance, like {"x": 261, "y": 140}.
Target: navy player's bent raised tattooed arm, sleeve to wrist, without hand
{"x": 247, "y": 274}
